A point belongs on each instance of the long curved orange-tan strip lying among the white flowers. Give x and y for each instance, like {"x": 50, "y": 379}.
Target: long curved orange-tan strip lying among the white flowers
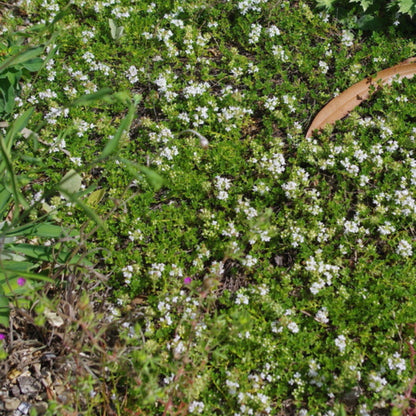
{"x": 344, "y": 103}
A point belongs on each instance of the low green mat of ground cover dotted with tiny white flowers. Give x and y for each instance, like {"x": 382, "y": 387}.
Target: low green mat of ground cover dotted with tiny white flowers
{"x": 270, "y": 274}
